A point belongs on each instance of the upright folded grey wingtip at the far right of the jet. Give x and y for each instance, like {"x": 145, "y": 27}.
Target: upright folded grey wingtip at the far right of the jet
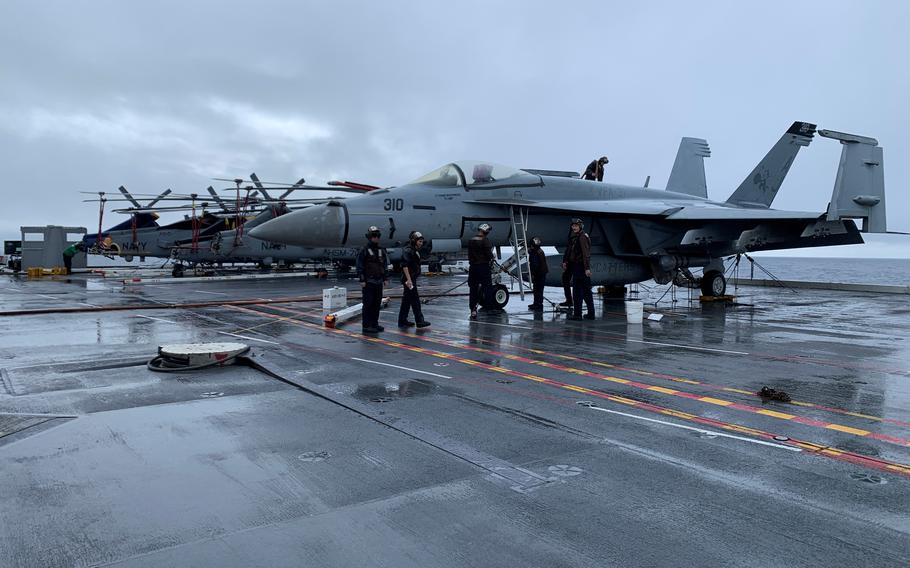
{"x": 859, "y": 188}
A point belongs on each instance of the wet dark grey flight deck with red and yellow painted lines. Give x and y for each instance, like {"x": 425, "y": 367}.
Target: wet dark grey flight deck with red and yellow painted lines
{"x": 515, "y": 440}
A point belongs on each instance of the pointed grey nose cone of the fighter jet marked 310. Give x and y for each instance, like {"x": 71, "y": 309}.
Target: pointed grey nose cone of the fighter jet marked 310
{"x": 317, "y": 226}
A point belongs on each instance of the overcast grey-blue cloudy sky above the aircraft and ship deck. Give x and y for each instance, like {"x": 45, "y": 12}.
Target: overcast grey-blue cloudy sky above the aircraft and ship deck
{"x": 170, "y": 94}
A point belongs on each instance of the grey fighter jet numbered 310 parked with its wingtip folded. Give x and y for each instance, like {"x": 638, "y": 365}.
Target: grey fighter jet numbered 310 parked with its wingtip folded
{"x": 637, "y": 233}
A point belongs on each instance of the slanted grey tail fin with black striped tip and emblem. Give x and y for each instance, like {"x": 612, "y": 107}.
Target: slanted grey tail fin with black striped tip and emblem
{"x": 761, "y": 186}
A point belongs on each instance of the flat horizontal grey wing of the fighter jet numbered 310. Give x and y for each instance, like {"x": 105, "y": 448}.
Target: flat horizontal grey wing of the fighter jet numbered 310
{"x": 643, "y": 207}
